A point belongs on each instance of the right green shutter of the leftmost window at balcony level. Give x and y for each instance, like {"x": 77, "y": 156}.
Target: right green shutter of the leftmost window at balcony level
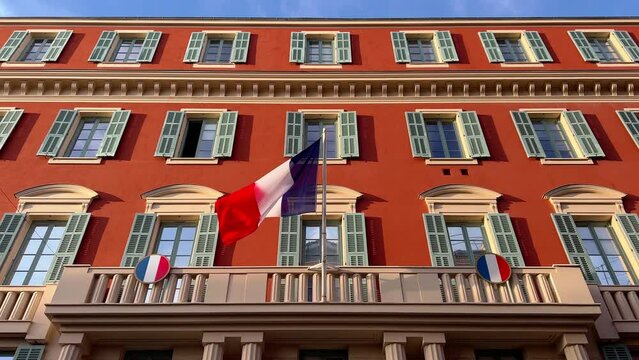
{"x": 71, "y": 239}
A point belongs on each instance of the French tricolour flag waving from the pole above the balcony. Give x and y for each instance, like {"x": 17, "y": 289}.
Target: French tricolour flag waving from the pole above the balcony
{"x": 289, "y": 189}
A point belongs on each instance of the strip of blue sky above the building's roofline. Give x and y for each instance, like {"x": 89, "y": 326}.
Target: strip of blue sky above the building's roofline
{"x": 320, "y": 8}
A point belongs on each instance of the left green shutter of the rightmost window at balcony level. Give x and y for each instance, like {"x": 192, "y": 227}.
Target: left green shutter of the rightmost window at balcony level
{"x": 567, "y": 230}
